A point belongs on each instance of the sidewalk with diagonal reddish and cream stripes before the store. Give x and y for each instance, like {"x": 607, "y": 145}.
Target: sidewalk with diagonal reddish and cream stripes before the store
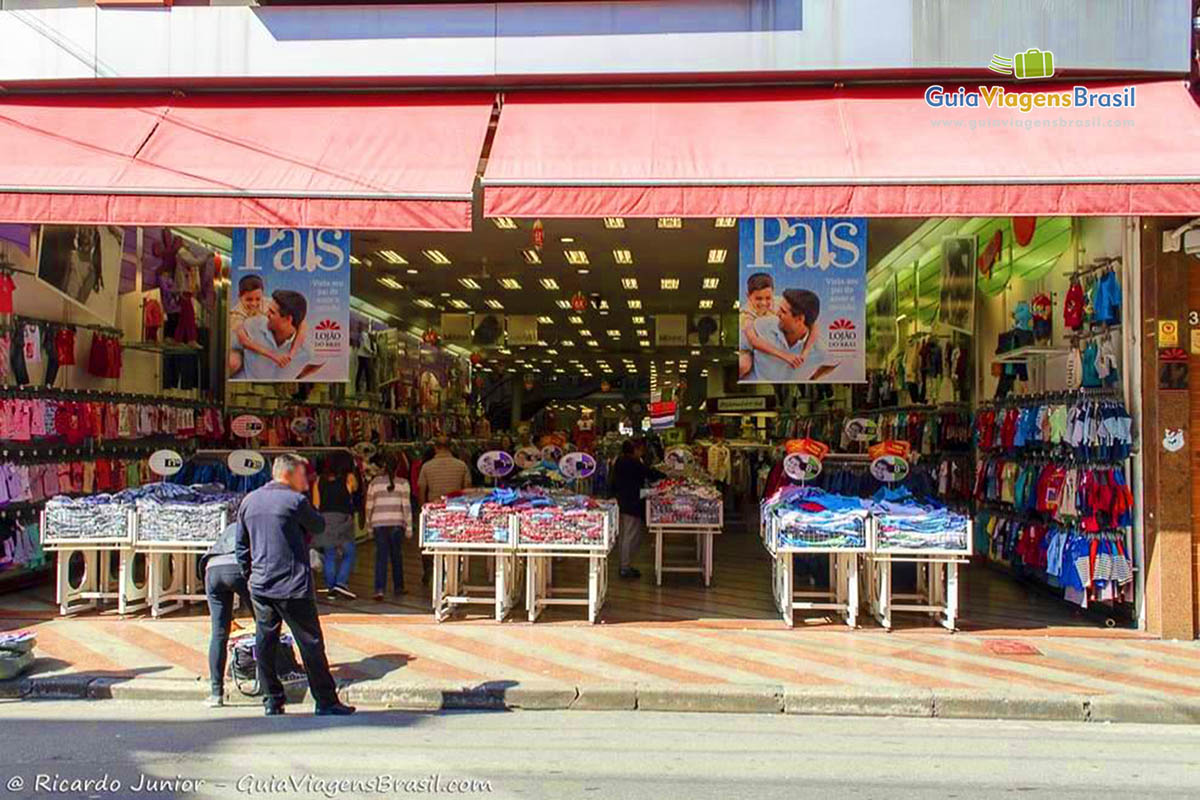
{"x": 1015, "y": 641}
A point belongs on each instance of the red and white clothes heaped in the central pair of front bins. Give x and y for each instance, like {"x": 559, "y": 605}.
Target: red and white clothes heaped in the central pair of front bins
{"x": 533, "y": 518}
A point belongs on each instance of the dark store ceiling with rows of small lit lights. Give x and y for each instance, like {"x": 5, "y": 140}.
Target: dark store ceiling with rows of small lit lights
{"x": 701, "y": 256}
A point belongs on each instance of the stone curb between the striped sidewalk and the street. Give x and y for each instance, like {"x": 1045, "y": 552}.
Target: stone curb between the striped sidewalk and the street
{"x": 512, "y": 696}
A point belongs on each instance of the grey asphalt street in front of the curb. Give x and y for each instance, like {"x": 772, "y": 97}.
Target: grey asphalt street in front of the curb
{"x": 169, "y": 750}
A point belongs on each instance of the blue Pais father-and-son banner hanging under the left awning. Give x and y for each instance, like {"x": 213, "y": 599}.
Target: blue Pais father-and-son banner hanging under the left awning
{"x": 290, "y": 305}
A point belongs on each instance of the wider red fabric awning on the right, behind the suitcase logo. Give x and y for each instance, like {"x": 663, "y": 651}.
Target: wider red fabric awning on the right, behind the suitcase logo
{"x": 874, "y": 152}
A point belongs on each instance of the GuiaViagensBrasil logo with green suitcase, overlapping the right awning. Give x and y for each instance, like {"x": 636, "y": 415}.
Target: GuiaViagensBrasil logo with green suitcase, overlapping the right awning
{"x": 1031, "y": 65}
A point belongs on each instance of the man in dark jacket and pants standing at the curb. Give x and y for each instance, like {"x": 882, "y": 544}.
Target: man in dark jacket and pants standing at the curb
{"x": 273, "y": 526}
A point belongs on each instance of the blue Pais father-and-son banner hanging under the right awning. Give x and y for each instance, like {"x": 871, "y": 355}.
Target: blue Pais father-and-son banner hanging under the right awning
{"x": 802, "y": 287}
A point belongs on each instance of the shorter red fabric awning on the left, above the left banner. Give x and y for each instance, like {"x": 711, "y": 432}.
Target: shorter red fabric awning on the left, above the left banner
{"x": 398, "y": 163}
